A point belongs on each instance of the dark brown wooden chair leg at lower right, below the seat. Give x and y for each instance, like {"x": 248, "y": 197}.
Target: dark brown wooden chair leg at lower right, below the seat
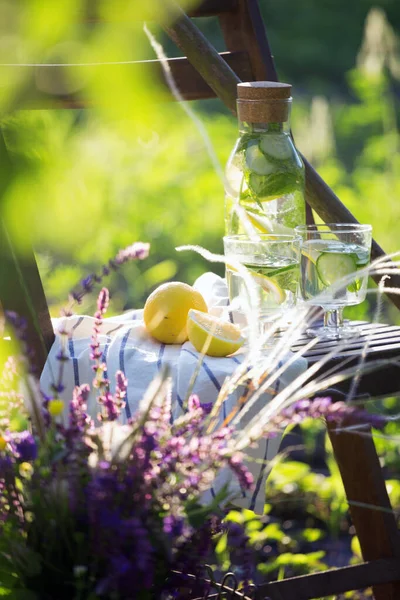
{"x": 365, "y": 488}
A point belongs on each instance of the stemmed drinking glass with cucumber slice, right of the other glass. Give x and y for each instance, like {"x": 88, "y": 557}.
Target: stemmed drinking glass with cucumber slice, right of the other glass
{"x": 332, "y": 272}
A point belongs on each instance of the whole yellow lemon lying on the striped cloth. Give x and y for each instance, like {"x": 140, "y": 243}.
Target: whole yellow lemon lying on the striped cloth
{"x": 166, "y": 310}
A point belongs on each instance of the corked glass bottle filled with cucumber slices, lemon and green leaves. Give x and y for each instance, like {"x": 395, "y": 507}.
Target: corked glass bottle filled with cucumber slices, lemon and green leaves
{"x": 264, "y": 177}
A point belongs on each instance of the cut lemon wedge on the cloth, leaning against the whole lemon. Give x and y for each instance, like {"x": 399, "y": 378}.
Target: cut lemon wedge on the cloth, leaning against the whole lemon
{"x": 212, "y": 336}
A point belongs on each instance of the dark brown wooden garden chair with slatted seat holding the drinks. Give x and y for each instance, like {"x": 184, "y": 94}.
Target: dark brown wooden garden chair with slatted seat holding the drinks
{"x": 203, "y": 73}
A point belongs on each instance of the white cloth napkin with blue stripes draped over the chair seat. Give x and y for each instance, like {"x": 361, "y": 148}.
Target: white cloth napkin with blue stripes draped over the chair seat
{"x": 127, "y": 347}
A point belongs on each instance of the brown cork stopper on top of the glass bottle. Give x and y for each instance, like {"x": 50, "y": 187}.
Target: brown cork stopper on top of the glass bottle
{"x": 263, "y": 101}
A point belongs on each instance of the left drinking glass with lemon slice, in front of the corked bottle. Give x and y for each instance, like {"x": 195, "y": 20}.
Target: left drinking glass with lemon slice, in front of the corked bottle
{"x": 269, "y": 284}
